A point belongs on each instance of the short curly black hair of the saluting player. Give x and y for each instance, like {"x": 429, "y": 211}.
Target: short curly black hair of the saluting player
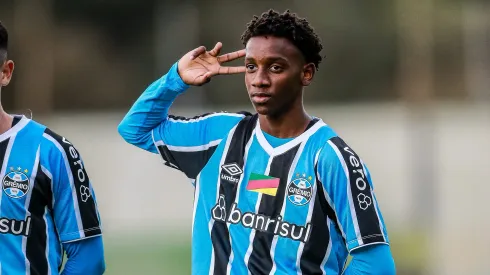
{"x": 287, "y": 25}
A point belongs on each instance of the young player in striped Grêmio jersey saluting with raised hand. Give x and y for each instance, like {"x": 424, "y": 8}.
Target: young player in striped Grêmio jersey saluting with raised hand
{"x": 277, "y": 192}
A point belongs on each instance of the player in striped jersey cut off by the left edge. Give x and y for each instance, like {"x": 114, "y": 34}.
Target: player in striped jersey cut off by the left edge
{"x": 47, "y": 203}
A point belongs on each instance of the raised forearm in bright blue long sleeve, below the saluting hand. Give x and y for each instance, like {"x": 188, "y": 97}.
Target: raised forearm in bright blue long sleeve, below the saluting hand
{"x": 151, "y": 109}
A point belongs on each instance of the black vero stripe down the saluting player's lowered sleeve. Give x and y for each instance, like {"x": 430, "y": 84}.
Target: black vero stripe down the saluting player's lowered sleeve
{"x": 364, "y": 204}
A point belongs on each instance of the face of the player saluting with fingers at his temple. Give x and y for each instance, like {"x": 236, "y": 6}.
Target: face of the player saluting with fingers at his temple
{"x": 275, "y": 75}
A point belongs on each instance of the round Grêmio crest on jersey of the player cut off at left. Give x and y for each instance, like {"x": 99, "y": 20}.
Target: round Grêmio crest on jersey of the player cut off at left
{"x": 16, "y": 183}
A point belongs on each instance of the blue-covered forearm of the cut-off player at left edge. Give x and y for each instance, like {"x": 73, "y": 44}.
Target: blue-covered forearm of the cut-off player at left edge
{"x": 85, "y": 257}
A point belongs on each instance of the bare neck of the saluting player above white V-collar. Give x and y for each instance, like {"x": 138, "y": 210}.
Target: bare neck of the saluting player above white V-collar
{"x": 289, "y": 125}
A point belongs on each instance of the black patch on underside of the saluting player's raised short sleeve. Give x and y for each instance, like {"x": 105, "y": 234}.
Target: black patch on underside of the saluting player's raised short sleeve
{"x": 191, "y": 163}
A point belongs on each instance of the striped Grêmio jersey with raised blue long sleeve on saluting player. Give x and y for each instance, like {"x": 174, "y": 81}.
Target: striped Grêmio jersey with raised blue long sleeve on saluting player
{"x": 297, "y": 208}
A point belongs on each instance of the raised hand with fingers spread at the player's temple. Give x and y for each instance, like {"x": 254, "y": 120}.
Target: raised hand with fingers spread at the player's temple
{"x": 198, "y": 66}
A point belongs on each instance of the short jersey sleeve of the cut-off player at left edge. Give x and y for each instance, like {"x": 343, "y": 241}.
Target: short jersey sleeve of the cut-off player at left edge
{"x": 74, "y": 203}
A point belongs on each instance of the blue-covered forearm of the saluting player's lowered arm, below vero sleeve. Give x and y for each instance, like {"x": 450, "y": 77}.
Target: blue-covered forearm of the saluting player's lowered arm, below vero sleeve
{"x": 372, "y": 259}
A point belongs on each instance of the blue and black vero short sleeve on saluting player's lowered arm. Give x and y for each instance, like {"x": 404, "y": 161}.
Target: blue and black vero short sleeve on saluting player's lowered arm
{"x": 349, "y": 192}
